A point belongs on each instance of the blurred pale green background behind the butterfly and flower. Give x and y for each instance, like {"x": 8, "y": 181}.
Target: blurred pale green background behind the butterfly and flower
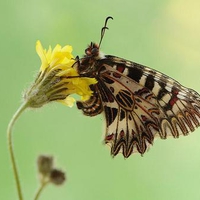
{"x": 163, "y": 34}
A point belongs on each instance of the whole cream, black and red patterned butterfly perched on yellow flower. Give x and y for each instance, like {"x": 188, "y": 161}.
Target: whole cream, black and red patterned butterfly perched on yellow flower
{"x": 139, "y": 103}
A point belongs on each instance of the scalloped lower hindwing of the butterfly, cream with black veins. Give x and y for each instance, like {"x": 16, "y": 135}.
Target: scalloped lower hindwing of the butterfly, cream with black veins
{"x": 131, "y": 118}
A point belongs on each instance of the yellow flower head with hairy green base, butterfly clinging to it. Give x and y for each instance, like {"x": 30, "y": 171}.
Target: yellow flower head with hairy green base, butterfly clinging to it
{"x": 57, "y": 78}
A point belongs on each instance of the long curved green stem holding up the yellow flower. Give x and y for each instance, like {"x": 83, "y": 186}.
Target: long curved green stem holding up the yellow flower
{"x": 10, "y": 147}
